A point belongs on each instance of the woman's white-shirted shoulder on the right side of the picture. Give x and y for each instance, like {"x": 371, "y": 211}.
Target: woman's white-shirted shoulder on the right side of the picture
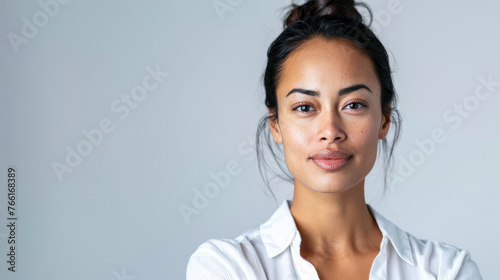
{"x": 444, "y": 260}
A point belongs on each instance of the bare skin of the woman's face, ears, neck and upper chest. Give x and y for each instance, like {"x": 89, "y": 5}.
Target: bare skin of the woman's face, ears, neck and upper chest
{"x": 340, "y": 237}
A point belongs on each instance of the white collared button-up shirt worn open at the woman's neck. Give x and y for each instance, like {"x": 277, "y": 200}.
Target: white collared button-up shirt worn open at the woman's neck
{"x": 272, "y": 251}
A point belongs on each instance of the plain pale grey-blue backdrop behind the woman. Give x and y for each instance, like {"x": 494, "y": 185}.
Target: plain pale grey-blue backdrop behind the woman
{"x": 109, "y": 207}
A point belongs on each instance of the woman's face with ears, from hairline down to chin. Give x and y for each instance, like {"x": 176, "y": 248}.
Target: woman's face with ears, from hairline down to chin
{"x": 329, "y": 99}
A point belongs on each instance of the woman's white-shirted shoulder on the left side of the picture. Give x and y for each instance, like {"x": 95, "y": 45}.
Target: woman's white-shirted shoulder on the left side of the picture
{"x": 226, "y": 259}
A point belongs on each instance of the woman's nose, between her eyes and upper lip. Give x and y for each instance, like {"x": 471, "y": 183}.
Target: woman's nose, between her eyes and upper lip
{"x": 330, "y": 127}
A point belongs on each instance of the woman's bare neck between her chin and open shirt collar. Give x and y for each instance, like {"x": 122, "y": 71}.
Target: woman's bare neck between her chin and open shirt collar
{"x": 334, "y": 224}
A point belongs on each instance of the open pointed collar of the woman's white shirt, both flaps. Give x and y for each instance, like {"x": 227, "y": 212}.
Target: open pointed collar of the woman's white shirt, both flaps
{"x": 278, "y": 232}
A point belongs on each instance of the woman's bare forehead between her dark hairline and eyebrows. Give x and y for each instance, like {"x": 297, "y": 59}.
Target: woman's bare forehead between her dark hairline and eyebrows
{"x": 327, "y": 65}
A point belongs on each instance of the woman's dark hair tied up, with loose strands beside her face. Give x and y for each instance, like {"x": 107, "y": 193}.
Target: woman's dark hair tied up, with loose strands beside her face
{"x": 327, "y": 20}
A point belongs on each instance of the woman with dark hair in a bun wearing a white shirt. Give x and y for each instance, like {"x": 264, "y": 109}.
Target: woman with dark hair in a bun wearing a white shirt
{"x": 330, "y": 98}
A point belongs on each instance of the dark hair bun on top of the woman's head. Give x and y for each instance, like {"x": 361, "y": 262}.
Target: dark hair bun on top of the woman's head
{"x": 321, "y": 7}
